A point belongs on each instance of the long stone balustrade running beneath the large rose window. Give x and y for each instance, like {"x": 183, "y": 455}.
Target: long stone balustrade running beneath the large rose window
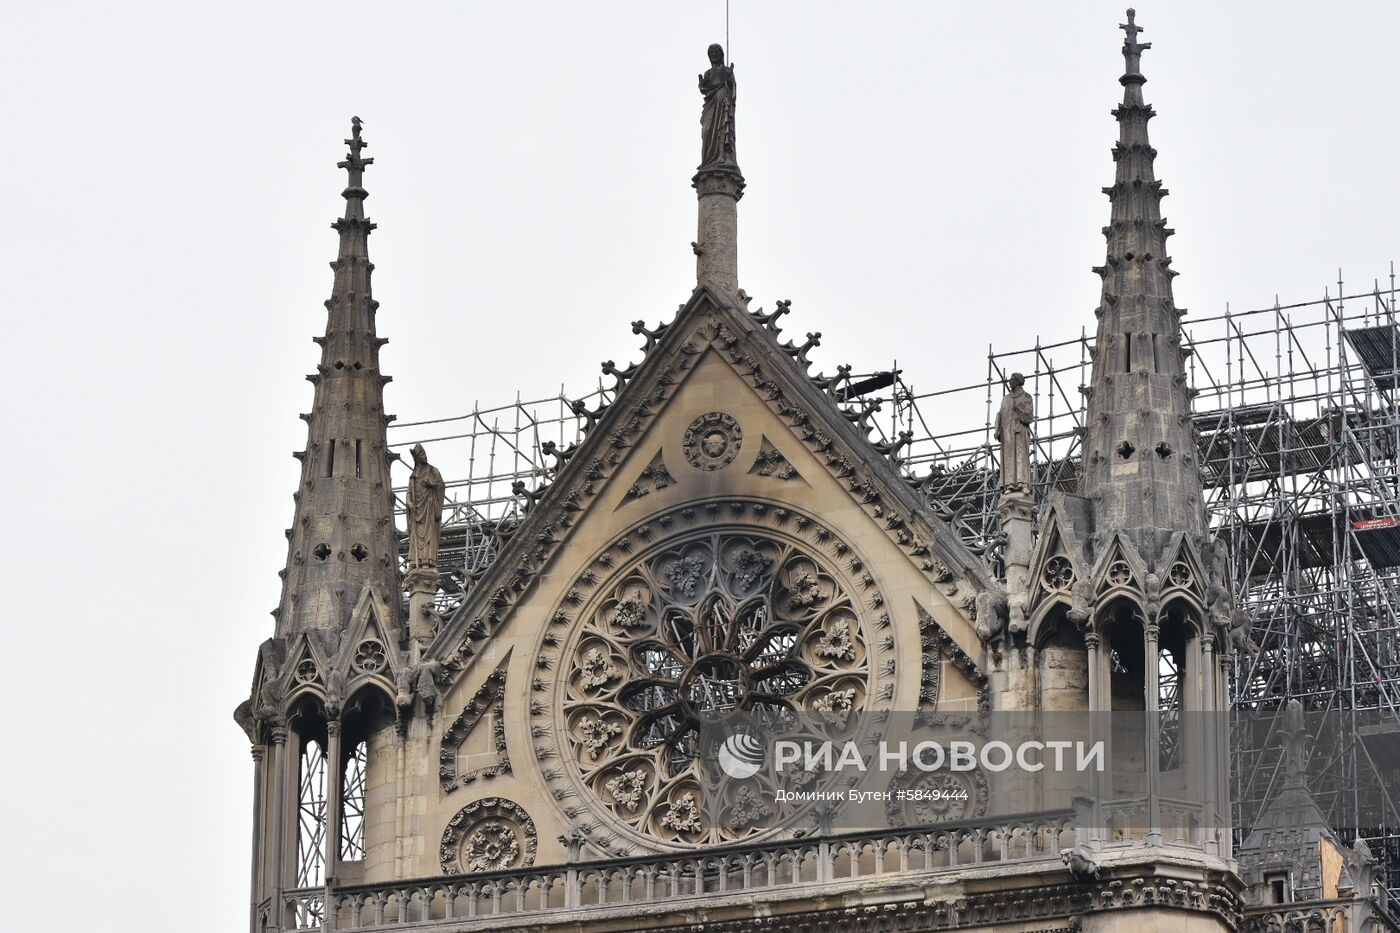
{"x": 780, "y": 869}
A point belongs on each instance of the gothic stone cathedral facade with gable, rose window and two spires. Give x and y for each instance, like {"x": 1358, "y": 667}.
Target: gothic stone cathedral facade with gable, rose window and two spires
{"x": 727, "y": 539}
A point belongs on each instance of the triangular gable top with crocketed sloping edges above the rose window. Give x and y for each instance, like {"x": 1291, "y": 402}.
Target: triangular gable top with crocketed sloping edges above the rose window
{"x": 717, "y": 413}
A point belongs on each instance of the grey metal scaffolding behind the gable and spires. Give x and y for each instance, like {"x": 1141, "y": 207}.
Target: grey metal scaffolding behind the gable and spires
{"x": 1298, "y": 421}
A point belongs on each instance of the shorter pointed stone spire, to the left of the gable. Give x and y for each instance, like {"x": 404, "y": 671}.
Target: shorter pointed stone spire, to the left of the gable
{"x": 342, "y": 539}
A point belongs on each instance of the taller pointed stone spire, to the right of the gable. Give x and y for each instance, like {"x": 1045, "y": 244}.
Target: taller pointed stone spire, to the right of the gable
{"x": 1139, "y": 453}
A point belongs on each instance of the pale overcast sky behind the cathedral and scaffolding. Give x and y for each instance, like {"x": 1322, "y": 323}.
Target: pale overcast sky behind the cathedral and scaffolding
{"x": 923, "y": 179}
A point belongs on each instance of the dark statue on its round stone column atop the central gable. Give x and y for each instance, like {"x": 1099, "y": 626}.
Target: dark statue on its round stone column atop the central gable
{"x": 719, "y": 181}
